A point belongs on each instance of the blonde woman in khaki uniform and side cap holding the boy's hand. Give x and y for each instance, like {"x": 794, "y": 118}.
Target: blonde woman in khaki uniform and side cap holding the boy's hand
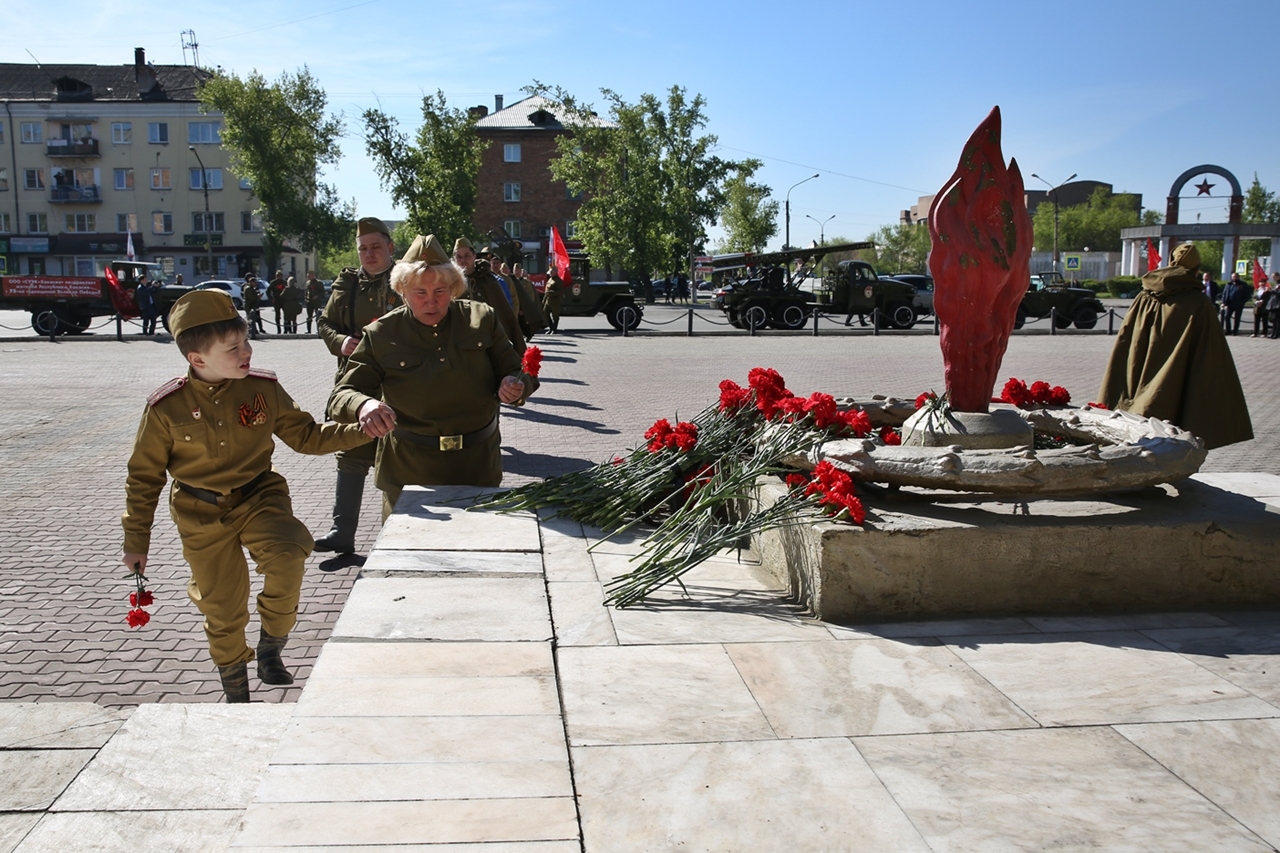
{"x": 429, "y": 377}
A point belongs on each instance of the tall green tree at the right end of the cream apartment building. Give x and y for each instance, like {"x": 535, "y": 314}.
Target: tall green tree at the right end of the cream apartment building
{"x": 278, "y": 136}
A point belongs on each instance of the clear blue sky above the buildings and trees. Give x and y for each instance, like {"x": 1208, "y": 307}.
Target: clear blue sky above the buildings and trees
{"x": 879, "y": 98}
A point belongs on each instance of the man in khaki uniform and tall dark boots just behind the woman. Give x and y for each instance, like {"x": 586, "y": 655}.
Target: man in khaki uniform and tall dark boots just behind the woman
{"x": 358, "y": 298}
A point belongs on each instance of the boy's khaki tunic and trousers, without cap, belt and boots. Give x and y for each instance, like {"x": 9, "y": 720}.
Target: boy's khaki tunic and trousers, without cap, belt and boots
{"x": 198, "y": 434}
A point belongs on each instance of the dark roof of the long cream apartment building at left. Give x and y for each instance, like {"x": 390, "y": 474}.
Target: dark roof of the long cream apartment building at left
{"x": 81, "y": 84}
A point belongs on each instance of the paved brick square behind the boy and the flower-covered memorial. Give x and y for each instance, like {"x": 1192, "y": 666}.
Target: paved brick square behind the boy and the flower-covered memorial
{"x": 67, "y": 432}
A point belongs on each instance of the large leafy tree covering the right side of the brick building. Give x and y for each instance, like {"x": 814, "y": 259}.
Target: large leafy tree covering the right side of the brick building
{"x": 651, "y": 185}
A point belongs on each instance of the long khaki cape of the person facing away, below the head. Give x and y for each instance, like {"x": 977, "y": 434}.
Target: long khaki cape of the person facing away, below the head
{"x": 1172, "y": 362}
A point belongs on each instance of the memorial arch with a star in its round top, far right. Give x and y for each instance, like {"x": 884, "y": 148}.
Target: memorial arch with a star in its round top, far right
{"x": 1174, "y": 232}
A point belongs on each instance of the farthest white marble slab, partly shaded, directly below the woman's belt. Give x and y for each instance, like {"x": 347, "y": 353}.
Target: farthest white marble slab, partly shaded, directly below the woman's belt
{"x": 436, "y": 519}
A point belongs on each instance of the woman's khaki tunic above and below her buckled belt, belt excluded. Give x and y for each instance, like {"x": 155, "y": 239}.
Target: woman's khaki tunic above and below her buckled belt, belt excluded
{"x": 441, "y": 381}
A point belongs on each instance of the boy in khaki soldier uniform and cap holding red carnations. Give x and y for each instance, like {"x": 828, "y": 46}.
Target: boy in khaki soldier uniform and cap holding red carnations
{"x": 213, "y": 432}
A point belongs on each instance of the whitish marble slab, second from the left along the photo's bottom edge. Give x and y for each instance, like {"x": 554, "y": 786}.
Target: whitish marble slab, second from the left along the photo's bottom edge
{"x": 177, "y": 832}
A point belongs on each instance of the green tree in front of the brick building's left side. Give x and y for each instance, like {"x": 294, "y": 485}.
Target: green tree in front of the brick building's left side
{"x": 435, "y": 177}
